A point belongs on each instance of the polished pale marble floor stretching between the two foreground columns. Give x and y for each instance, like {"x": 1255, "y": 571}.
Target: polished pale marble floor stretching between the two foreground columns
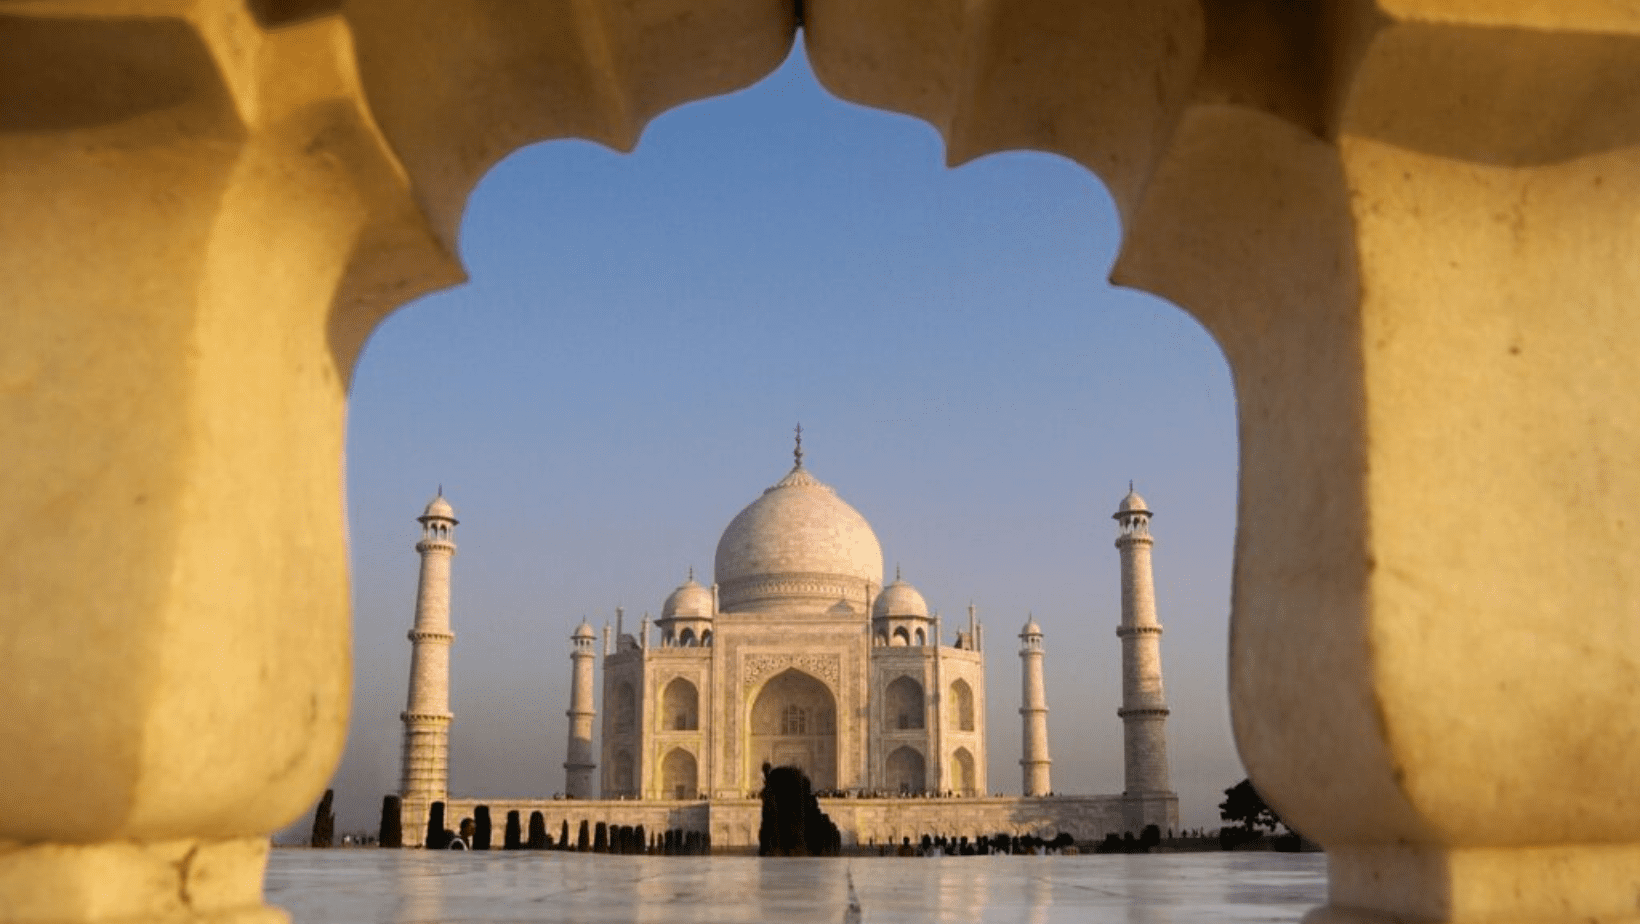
{"x": 416, "y": 887}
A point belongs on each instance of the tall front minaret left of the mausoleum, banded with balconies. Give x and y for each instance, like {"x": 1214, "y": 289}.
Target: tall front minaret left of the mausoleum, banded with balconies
{"x": 426, "y": 761}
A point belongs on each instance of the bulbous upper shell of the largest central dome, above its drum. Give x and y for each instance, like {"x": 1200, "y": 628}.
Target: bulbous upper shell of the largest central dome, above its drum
{"x": 798, "y": 528}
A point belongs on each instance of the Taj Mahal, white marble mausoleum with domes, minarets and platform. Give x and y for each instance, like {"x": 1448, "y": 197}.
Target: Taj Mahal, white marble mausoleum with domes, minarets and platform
{"x": 799, "y": 656}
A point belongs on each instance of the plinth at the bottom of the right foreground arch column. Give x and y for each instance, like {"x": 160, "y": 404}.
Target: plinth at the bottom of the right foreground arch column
{"x": 1523, "y": 885}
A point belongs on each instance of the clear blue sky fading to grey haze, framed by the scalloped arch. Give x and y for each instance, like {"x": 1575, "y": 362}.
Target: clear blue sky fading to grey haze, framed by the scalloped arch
{"x": 639, "y": 337}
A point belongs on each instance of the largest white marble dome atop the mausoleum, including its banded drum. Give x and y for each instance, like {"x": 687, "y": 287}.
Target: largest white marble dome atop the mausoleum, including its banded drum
{"x": 795, "y": 546}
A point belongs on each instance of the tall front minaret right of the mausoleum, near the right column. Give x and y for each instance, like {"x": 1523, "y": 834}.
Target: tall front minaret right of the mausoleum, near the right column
{"x": 1144, "y": 703}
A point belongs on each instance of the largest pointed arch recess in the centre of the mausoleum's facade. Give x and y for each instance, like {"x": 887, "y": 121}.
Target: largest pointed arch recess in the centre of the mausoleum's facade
{"x": 795, "y": 725}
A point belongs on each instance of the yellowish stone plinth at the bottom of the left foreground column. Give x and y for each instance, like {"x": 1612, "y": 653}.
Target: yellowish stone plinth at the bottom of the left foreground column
{"x": 163, "y": 882}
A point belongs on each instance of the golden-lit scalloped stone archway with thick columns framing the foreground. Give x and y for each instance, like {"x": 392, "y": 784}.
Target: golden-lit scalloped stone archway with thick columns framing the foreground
{"x": 1408, "y": 224}
